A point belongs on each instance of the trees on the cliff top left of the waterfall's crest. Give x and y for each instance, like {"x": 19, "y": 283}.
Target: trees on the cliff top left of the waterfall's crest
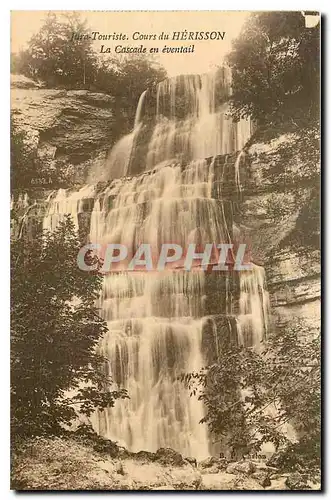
{"x": 75, "y": 65}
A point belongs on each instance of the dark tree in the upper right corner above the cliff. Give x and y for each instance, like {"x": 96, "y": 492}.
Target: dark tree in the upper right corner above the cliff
{"x": 275, "y": 68}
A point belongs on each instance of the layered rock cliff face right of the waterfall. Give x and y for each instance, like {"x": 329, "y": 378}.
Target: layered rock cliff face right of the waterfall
{"x": 280, "y": 216}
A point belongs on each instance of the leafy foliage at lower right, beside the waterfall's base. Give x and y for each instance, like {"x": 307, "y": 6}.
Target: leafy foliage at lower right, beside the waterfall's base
{"x": 251, "y": 396}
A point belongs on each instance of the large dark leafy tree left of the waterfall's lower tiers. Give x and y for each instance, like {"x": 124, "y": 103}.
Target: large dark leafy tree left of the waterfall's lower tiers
{"x": 55, "y": 329}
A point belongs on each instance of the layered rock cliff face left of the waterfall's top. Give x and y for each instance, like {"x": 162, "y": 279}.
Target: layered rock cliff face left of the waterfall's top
{"x": 73, "y": 126}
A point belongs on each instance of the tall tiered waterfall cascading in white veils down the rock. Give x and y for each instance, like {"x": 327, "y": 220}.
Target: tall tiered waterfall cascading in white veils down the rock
{"x": 157, "y": 320}
